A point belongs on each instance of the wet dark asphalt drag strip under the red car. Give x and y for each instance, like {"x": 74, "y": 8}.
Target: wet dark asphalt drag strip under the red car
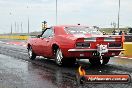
{"x": 17, "y": 71}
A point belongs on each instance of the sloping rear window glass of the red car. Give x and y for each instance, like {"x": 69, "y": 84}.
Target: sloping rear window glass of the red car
{"x": 82, "y": 30}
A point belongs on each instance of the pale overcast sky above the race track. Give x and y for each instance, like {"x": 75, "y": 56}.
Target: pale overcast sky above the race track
{"x": 86, "y": 12}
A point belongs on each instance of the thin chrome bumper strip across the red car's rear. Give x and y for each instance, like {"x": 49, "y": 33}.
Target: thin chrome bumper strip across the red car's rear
{"x": 89, "y": 50}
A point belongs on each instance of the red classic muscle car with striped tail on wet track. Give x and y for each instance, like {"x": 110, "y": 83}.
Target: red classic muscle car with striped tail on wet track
{"x": 65, "y": 44}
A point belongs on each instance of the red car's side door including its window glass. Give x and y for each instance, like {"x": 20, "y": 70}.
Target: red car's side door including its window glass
{"x": 45, "y": 42}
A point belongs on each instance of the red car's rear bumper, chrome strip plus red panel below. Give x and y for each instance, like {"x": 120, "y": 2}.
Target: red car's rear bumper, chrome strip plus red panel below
{"x": 90, "y": 53}
